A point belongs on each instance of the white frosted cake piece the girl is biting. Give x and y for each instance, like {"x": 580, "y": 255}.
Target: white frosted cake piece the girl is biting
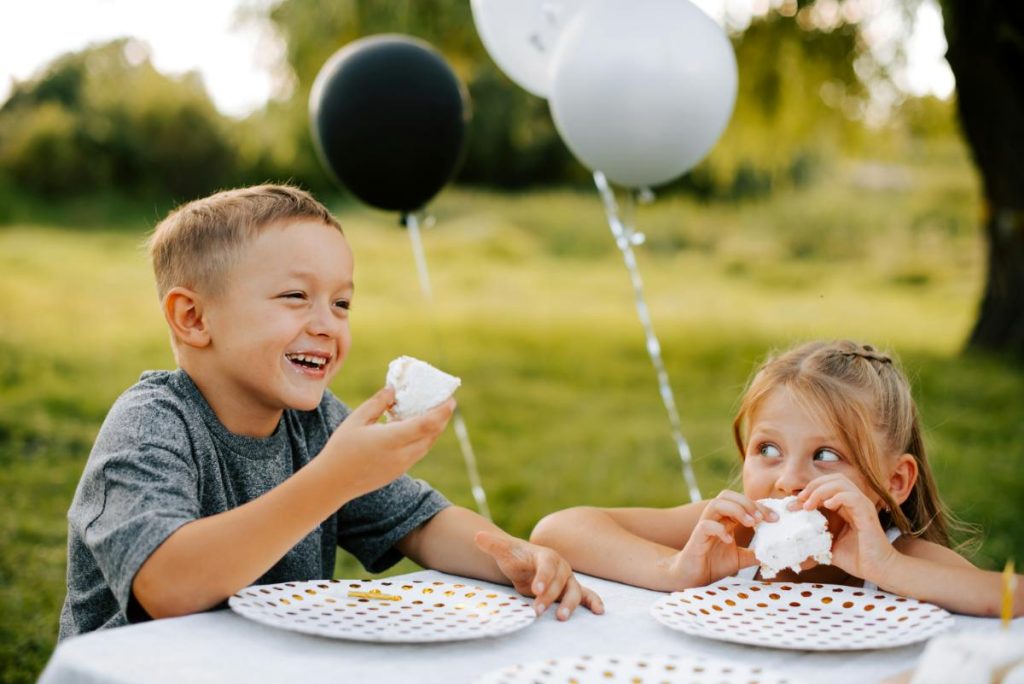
{"x": 795, "y": 538}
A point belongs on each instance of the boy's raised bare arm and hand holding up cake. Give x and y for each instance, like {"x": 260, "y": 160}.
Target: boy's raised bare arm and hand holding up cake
{"x": 207, "y": 561}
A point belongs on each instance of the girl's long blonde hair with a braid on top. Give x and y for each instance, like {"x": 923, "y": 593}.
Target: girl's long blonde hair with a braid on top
{"x": 862, "y": 394}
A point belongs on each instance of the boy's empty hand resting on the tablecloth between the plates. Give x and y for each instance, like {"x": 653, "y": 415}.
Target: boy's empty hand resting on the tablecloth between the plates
{"x": 540, "y": 572}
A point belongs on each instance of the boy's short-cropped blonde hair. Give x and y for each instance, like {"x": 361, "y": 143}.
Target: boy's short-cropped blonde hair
{"x": 198, "y": 243}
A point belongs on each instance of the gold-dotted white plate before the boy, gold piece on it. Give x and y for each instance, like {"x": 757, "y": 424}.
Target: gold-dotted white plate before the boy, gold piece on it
{"x": 411, "y": 612}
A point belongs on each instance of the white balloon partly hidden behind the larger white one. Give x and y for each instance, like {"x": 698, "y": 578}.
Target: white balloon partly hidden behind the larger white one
{"x": 522, "y": 35}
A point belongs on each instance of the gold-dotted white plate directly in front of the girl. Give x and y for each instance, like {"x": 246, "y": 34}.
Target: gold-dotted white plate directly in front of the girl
{"x": 803, "y": 617}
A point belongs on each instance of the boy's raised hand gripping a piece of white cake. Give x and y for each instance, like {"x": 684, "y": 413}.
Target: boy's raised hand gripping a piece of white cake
{"x": 375, "y": 453}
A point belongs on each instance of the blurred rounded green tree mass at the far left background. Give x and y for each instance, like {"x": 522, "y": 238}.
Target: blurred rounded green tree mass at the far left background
{"x": 105, "y": 118}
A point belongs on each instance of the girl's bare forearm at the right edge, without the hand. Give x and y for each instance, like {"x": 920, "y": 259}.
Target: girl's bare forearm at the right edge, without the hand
{"x": 934, "y": 574}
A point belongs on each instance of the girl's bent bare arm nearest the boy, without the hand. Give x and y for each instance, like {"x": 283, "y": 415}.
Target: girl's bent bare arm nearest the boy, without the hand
{"x": 635, "y": 546}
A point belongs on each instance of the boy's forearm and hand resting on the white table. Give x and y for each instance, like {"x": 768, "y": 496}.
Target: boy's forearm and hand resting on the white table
{"x": 461, "y": 542}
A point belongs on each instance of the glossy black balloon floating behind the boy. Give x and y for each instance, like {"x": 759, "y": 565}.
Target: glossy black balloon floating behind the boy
{"x": 389, "y": 118}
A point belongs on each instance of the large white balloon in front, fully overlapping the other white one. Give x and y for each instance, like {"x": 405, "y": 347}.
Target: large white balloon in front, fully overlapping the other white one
{"x": 643, "y": 90}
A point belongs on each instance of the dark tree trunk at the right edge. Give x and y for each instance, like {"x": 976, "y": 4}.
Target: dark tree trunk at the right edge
{"x": 987, "y": 55}
